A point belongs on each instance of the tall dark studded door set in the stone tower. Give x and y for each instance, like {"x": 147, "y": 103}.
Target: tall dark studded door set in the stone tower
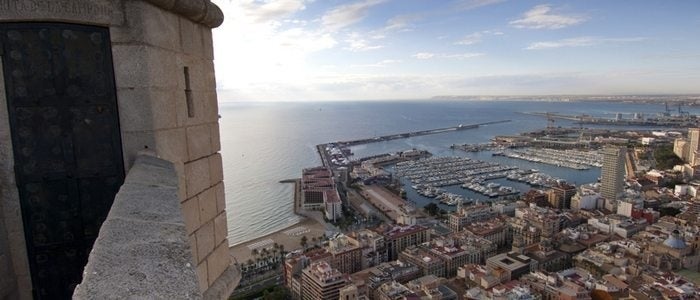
{"x": 67, "y": 147}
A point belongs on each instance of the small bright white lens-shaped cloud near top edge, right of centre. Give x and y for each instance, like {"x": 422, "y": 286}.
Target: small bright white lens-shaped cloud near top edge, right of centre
{"x": 542, "y": 17}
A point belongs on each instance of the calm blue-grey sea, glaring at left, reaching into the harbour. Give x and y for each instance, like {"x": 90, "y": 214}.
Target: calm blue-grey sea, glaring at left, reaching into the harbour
{"x": 264, "y": 143}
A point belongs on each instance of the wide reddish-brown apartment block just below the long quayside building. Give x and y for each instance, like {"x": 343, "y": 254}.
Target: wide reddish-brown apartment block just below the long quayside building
{"x": 397, "y": 238}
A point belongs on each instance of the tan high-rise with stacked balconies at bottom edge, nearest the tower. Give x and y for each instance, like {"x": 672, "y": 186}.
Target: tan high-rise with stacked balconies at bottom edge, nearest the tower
{"x": 321, "y": 281}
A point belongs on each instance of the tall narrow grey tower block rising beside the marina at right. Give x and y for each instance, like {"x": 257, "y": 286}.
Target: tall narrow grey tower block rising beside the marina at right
{"x": 612, "y": 172}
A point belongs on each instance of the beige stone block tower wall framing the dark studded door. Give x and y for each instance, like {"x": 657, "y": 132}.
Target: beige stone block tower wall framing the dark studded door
{"x": 166, "y": 92}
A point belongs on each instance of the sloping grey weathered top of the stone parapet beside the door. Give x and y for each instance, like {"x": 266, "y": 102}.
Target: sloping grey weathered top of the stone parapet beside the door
{"x": 142, "y": 254}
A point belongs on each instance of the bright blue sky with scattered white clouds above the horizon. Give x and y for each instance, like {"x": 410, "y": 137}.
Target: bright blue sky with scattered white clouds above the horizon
{"x": 300, "y": 50}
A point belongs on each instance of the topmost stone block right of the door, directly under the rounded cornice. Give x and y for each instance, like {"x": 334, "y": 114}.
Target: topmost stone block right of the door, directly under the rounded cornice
{"x": 148, "y": 24}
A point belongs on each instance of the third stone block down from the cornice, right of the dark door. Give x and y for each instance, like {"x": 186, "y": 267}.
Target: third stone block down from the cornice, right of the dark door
{"x": 146, "y": 109}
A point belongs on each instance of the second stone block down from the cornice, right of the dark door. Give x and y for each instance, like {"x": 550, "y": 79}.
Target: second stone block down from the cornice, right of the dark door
{"x": 144, "y": 66}
